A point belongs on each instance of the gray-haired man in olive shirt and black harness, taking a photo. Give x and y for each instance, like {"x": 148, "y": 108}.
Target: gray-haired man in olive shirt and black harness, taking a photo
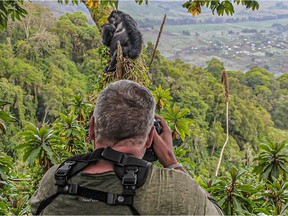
{"x": 113, "y": 179}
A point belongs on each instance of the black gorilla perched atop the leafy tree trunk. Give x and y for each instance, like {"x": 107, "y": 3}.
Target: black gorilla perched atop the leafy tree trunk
{"x": 123, "y": 28}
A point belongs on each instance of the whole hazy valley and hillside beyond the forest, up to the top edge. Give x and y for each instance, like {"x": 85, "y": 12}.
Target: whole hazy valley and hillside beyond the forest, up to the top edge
{"x": 241, "y": 41}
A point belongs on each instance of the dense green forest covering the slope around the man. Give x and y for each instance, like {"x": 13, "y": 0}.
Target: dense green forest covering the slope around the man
{"x": 51, "y": 71}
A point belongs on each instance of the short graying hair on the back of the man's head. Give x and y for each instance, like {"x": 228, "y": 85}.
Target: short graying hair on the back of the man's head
{"x": 124, "y": 109}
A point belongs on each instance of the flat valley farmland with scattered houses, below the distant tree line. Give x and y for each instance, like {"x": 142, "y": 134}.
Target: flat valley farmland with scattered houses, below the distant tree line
{"x": 240, "y": 46}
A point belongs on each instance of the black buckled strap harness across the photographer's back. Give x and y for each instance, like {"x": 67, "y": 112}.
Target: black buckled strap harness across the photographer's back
{"x": 130, "y": 170}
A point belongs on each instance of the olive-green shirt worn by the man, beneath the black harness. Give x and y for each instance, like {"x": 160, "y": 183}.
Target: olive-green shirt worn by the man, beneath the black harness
{"x": 165, "y": 192}
